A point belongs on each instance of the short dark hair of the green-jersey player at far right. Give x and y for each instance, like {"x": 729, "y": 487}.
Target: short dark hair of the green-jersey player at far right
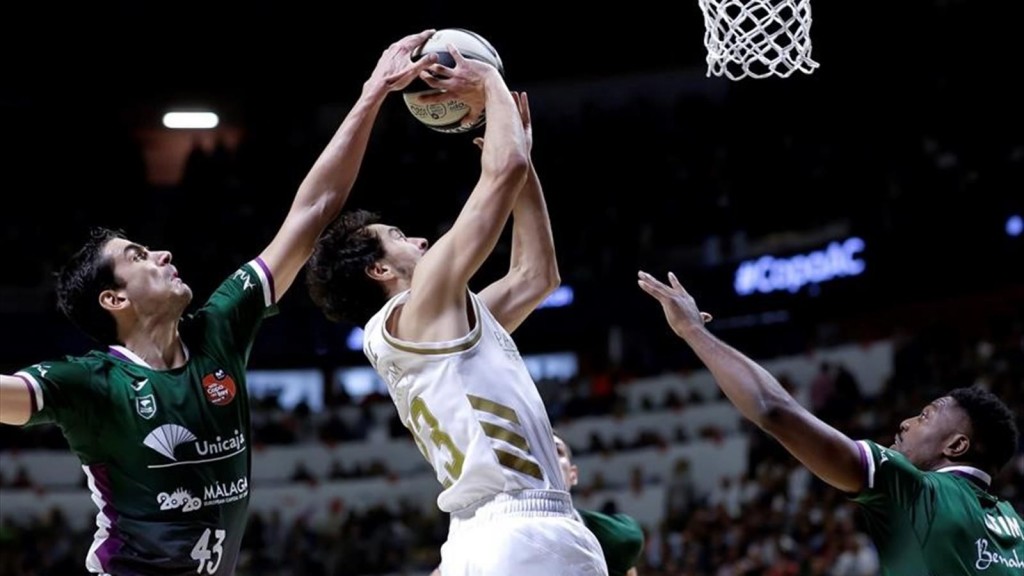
{"x": 994, "y": 426}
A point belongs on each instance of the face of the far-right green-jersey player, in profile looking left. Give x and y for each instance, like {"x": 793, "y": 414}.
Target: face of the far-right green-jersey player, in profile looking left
{"x": 925, "y": 438}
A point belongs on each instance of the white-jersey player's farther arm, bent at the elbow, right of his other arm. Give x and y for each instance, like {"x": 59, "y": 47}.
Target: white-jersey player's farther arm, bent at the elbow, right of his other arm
{"x": 534, "y": 269}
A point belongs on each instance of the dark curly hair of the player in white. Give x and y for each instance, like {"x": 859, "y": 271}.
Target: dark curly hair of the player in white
{"x": 336, "y": 274}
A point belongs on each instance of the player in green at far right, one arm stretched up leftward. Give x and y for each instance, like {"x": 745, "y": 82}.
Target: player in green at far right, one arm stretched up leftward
{"x": 926, "y": 499}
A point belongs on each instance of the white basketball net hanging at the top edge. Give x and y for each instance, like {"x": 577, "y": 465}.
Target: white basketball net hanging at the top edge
{"x": 758, "y": 38}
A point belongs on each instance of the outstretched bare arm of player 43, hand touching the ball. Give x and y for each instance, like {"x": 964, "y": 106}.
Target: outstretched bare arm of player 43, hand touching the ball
{"x": 326, "y": 188}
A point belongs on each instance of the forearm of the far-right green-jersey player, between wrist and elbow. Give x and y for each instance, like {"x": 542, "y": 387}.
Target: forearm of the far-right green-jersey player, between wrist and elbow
{"x": 757, "y": 394}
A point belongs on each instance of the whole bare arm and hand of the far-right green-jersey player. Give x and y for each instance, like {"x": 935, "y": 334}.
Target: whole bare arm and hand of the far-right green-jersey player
{"x": 828, "y": 454}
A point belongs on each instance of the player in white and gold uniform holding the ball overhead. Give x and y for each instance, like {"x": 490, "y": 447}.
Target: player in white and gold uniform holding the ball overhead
{"x": 447, "y": 355}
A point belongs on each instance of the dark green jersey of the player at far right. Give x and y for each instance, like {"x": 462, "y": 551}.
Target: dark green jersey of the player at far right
{"x": 942, "y": 523}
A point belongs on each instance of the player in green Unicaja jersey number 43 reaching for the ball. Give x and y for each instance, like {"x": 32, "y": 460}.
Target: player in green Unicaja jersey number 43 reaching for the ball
{"x": 160, "y": 418}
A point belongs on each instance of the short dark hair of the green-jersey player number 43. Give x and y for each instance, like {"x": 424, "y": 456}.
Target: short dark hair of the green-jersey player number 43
{"x": 80, "y": 281}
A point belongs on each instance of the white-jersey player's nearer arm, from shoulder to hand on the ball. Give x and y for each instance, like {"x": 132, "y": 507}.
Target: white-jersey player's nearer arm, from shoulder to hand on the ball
{"x": 437, "y": 308}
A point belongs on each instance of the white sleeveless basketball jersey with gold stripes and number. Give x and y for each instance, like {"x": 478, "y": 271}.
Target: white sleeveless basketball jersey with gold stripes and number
{"x": 473, "y": 407}
